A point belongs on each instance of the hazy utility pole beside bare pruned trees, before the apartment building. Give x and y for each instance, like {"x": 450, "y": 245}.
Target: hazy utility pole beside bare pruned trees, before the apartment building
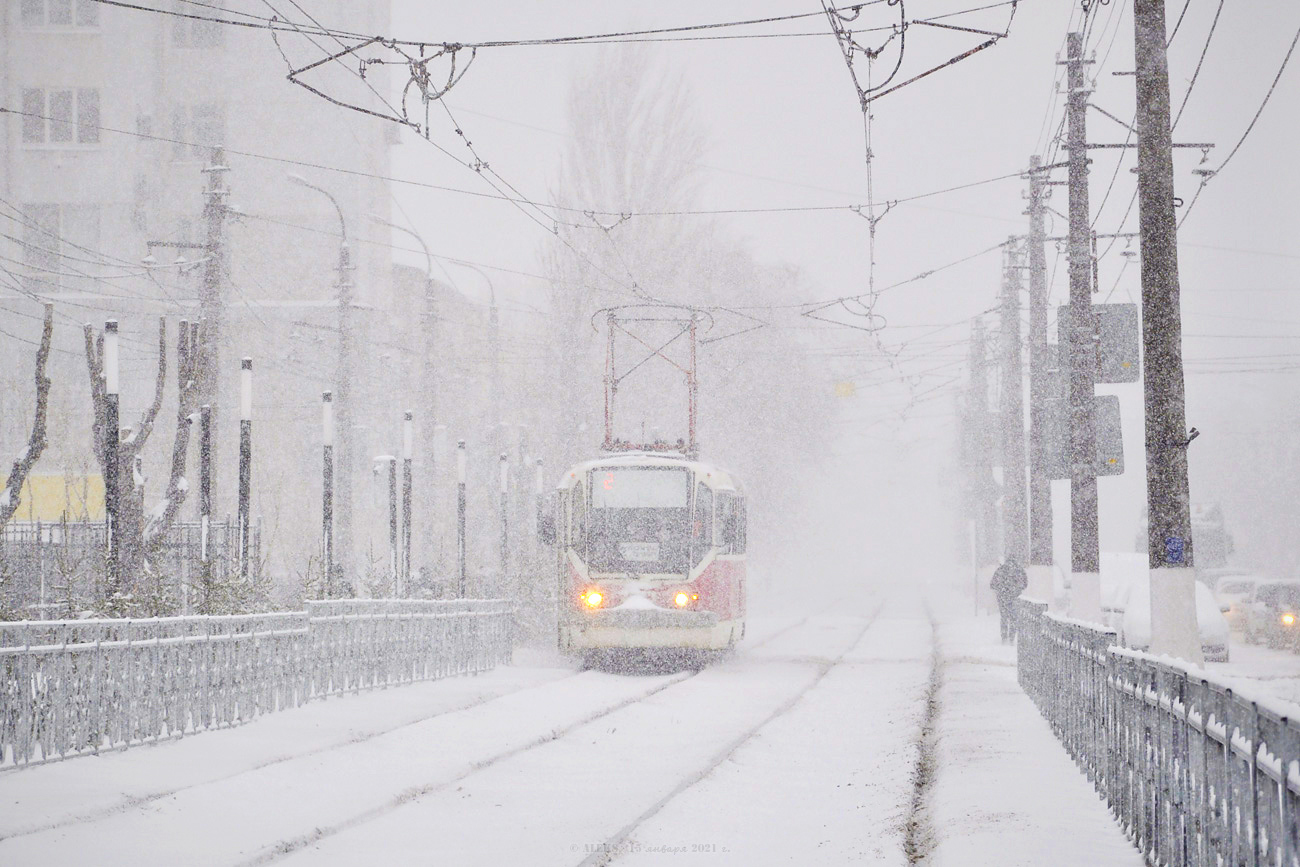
{"x": 213, "y": 302}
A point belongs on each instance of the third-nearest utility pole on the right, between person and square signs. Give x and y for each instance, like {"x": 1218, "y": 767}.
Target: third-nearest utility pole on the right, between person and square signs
{"x": 1041, "y": 485}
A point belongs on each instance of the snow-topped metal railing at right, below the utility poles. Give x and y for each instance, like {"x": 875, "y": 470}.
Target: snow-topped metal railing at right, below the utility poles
{"x": 1195, "y": 771}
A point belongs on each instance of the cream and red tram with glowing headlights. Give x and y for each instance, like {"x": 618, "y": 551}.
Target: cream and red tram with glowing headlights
{"x": 651, "y": 556}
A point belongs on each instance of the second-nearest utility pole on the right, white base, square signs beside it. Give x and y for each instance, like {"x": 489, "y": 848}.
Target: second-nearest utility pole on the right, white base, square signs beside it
{"x": 1085, "y": 544}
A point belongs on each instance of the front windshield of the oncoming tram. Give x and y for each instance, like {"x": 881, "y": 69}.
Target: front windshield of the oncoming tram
{"x": 640, "y": 521}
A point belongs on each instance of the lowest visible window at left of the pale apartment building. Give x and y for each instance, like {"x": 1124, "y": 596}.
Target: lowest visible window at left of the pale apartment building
{"x": 47, "y": 231}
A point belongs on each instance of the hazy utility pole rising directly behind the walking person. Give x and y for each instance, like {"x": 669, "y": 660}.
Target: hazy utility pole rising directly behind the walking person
{"x": 1015, "y": 519}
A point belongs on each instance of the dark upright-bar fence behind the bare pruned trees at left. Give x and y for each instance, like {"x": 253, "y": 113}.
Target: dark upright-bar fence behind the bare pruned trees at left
{"x": 55, "y": 567}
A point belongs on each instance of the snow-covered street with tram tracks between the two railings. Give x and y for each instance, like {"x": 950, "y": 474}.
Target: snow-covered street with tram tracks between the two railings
{"x": 805, "y": 745}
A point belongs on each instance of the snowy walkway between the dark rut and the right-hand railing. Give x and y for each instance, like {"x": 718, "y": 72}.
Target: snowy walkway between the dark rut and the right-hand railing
{"x": 1006, "y": 792}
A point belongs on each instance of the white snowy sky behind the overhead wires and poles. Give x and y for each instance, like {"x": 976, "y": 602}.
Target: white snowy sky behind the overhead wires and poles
{"x": 785, "y": 131}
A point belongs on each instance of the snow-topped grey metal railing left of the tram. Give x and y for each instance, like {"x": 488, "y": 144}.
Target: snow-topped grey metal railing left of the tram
{"x": 76, "y": 687}
